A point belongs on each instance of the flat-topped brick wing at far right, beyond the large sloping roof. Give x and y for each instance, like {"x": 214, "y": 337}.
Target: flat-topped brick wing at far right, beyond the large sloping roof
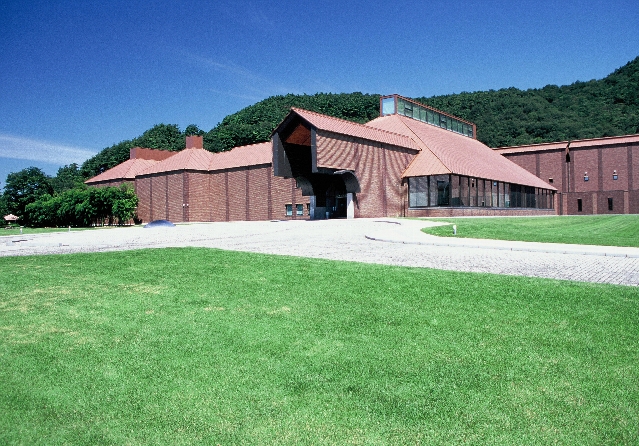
{"x": 592, "y": 176}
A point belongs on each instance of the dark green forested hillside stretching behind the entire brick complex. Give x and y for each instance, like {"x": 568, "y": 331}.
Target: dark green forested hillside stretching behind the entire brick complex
{"x": 510, "y": 116}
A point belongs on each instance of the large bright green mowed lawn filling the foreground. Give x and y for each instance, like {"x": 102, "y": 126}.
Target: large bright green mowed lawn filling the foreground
{"x": 186, "y": 346}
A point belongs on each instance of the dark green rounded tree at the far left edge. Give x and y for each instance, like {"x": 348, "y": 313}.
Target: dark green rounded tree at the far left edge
{"x": 25, "y": 187}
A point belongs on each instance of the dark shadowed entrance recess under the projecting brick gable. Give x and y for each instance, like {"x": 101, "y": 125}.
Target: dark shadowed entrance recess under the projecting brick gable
{"x": 294, "y": 156}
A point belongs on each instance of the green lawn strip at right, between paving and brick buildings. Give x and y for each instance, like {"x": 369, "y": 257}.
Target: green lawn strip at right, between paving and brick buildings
{"x": 605, "y": 230}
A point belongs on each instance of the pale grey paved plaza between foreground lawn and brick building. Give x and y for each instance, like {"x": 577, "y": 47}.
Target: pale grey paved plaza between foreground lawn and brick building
{"x": 384, "y": 241}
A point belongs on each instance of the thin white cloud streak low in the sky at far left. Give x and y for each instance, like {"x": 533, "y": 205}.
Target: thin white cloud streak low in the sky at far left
{"x": 17, "y": 147}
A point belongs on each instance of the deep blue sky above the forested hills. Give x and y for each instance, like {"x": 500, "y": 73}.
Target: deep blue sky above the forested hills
{"x": 76, "y": 76}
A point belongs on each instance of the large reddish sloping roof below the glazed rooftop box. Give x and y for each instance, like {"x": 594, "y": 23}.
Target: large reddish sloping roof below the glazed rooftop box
{"x": 449, "y": 152}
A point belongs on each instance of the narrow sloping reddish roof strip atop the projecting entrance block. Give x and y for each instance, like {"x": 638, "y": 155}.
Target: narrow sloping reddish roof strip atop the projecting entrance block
{"x": 341, "y": 126}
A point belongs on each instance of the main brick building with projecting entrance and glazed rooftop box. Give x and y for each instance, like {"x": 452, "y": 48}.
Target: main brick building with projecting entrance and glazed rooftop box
{"x": 411, "y": 161}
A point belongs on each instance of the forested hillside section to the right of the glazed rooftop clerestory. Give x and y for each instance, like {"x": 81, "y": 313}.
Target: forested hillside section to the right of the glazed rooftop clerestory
{"x": 607, "y": 107}
